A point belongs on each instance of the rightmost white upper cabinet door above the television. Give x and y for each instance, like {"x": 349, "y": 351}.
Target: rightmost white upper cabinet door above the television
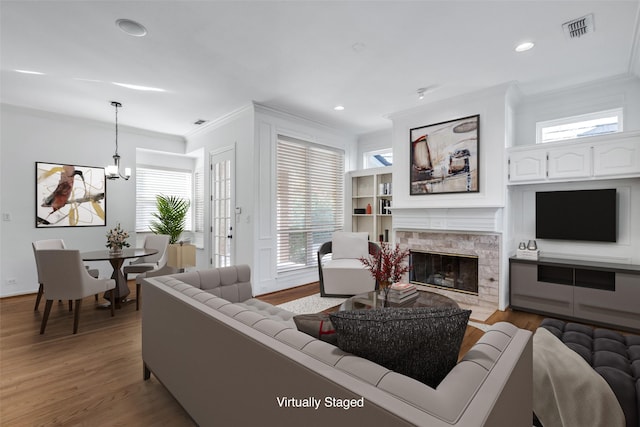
{"x": 617, "y": 158}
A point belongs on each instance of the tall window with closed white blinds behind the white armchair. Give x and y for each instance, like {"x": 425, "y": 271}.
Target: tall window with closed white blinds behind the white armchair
{"x": 310, "y": 189}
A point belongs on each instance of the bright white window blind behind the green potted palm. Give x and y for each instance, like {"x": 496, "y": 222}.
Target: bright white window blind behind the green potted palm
{"x": 151, "y": 182}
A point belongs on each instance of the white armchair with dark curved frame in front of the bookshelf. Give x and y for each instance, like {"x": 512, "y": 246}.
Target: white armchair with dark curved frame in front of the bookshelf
{"x": 344, "y": 274}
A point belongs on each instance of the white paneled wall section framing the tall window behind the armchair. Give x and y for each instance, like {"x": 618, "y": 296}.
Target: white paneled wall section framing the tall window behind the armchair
{"x": 269, "y": 124}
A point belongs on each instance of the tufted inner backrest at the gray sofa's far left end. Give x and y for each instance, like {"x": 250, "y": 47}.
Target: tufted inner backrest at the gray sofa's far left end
{"x": 231, "y": 283}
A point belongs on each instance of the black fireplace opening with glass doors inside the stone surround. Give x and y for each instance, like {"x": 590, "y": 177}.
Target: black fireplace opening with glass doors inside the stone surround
{"x": 443, "y": 270}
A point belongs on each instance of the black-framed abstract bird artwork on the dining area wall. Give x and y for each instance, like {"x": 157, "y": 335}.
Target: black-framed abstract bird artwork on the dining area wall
{"x": 70, "y": 195}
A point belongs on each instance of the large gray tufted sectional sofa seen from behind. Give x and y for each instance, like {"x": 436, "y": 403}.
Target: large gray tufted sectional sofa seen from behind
{"x": 230, "y": 359}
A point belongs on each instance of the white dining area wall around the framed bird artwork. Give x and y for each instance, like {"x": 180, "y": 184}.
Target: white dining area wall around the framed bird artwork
{"x": 30, "y": 136}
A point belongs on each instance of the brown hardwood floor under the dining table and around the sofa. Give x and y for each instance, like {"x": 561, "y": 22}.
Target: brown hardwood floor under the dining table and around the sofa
{"x": 94, "y": 378}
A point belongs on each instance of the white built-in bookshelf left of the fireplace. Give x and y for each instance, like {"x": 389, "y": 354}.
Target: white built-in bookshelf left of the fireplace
{"x": 369, "y": 202}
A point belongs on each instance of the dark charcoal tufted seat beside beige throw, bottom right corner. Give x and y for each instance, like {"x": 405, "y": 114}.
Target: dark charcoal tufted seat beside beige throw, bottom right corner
{"x": 614, "y": 356}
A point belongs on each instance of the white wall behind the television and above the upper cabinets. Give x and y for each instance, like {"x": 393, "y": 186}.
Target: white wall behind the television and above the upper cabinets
{"x": 597, "y": 96}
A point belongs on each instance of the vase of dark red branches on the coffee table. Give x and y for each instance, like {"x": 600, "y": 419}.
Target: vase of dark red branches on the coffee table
{"x": 387, "y": 266}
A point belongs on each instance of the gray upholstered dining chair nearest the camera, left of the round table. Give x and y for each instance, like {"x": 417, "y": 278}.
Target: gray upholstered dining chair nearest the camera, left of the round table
{"x": 65, "y": 278}
